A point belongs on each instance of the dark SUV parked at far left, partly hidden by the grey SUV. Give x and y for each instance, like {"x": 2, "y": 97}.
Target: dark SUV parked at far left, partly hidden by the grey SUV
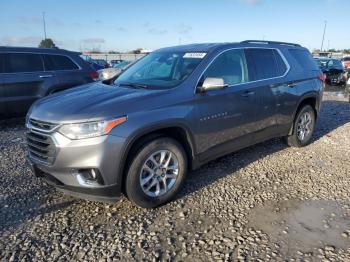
{"x": 27, "y": 74}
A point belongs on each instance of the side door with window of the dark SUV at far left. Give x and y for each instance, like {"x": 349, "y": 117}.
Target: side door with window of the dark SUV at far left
{"x": 24, "y": 81}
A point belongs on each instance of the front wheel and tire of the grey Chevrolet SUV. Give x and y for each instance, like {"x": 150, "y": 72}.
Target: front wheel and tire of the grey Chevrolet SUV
{"x": 146, "y": 162}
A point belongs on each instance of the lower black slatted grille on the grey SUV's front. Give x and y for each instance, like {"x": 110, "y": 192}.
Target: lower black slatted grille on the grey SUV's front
{"x": 41, "y": 147}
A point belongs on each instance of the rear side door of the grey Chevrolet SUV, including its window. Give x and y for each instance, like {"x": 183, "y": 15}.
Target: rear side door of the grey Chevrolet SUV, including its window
{"x": 267, "y": 72}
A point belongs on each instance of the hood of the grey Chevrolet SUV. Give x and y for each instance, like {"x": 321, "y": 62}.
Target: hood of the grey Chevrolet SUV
{"x": 89, "y": 102}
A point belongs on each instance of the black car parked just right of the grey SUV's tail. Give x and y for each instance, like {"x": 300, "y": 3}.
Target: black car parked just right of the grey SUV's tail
{"x": 334, "y": 71}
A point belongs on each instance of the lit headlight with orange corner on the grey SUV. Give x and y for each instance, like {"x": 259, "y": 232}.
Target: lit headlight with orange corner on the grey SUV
{"x": 90, "y": 129}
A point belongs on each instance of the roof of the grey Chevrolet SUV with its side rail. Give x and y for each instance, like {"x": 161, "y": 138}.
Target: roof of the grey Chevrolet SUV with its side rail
{"x": 207, "y": 47}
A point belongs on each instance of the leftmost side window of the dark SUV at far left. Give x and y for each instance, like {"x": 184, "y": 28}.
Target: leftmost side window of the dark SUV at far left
{"x": 23, "y": 62}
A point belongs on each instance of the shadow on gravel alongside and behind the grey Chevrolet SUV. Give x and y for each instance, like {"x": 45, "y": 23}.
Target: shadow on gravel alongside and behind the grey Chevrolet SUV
{"x": 333, "y": 114}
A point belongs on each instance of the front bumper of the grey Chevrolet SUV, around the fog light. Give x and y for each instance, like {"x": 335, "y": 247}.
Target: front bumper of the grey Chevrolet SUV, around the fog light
{"x": 71, "y": 156}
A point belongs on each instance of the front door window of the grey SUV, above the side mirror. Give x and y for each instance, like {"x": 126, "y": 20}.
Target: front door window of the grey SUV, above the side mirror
{"x": 230, "y": 66}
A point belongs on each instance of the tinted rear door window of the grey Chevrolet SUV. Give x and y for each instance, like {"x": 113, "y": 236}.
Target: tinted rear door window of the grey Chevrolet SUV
{"x": 264, "y": 63}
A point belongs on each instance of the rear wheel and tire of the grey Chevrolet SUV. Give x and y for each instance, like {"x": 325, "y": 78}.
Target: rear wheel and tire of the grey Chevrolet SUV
{"x": 295, "y": 139}
